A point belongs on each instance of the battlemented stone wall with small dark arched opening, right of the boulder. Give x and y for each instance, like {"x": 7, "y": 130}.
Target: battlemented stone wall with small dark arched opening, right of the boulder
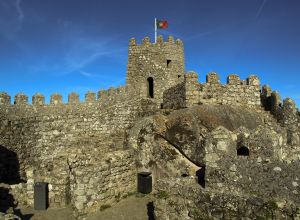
{"x": 251, "y": 162}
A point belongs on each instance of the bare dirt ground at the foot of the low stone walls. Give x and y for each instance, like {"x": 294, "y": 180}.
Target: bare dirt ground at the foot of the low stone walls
{"x": 131, "y": 208}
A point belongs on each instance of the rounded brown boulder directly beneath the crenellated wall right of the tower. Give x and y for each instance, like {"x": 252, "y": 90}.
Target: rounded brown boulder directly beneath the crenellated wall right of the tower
{"x": 188, "y": 128}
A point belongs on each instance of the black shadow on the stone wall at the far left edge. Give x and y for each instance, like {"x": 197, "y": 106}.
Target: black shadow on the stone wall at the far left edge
{"x": 9, "y": 166}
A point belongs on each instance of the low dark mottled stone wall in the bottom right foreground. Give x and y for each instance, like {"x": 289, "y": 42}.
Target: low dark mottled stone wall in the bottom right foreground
{"x": 184, "y": 199}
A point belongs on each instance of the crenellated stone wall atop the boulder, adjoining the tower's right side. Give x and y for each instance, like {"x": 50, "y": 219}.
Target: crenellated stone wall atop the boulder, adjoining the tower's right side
{"x": 191, "y": 92}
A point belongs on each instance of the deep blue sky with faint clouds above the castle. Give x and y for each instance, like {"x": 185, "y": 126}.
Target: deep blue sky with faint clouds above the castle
{"x": 63, "y": 46}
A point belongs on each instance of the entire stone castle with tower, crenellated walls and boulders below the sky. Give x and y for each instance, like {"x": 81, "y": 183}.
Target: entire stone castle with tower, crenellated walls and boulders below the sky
{"x": 214, "y": 150}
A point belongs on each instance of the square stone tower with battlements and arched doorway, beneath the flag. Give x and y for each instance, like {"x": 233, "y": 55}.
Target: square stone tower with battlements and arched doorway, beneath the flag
{"x": 154, "y": 67}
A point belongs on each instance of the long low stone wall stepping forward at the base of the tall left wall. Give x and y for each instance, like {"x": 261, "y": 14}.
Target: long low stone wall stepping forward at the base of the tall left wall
{"x": 82, "y": 179}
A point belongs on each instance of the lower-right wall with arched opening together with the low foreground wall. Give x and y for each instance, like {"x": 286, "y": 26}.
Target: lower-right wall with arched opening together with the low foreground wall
{"x": 262, "y": 184}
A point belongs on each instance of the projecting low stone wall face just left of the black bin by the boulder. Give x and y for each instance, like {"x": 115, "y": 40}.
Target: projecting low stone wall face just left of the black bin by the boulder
{"x": 103, "y": 183}
